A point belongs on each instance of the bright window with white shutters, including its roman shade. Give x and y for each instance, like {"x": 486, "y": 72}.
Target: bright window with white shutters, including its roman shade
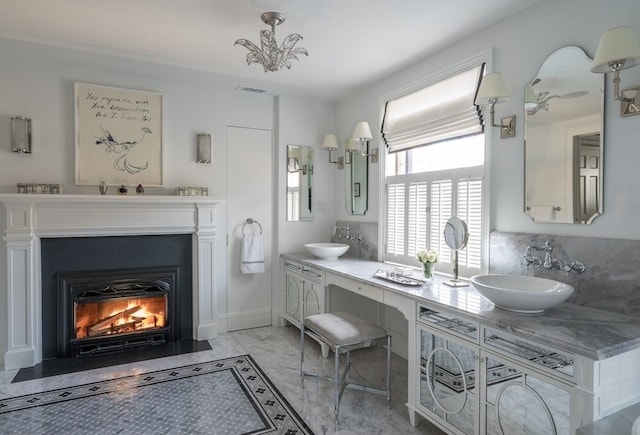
{"x": 434, "y": 177}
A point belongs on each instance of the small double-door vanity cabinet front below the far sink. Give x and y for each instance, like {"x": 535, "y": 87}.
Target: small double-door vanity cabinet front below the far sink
{"x": 303, "y": 293}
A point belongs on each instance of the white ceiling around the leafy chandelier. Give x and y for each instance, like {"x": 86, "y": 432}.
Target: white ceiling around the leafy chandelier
{"x": 351, "y": 43}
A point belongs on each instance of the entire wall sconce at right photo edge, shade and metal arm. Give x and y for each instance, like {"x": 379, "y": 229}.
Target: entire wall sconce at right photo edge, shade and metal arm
{"x": 619, "y": 49}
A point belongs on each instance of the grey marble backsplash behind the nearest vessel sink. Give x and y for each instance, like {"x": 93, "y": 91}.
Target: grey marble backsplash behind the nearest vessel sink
{"x": 611, "y": 280}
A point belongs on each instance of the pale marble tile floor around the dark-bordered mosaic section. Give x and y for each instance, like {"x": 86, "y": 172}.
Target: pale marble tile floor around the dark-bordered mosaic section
{"x": 276, "y": 350}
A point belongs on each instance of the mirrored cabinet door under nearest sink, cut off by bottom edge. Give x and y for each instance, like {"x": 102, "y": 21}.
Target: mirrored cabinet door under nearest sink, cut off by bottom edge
{"x": 520, "y": 402}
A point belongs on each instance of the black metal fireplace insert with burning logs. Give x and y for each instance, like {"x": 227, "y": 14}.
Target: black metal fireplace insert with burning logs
{"x": 107, "y": 311}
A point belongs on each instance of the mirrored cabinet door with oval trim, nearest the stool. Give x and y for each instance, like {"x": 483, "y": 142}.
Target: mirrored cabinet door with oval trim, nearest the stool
{"x": 448, "y": 381}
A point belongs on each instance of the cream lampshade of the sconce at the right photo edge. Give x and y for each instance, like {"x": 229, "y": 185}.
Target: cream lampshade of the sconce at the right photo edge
{"x": 616, "y": 45}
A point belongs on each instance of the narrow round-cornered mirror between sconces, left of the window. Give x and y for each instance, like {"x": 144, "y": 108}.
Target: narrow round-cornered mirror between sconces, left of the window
{"x": 356, "y": 178}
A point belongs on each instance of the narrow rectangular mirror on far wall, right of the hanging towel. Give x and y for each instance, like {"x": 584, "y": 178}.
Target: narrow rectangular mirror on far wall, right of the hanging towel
{"x": 299, "y": 183}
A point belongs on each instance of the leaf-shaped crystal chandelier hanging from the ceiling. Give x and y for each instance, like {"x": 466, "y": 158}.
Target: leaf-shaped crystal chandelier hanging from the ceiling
{"x": 269, "y": 55}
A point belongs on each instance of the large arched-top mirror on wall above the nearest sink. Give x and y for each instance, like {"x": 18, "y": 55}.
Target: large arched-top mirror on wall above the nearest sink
{"x": 564, "y": 140}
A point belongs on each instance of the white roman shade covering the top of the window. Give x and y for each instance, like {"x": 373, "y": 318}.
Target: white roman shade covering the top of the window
{"x": 442, "y": 111}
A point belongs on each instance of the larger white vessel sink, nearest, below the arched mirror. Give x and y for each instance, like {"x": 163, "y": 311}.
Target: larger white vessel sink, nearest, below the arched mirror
{"x": 520, "y": 293}
